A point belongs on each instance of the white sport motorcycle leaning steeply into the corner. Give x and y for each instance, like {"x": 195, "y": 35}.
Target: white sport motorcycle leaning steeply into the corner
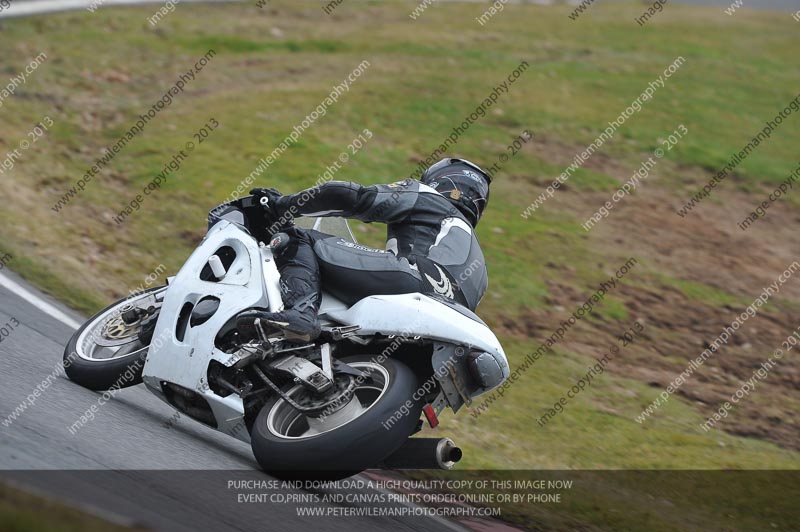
{"x": 349, "y": 401}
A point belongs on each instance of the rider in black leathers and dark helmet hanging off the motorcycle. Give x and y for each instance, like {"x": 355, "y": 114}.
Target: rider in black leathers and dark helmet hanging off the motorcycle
{"x": 430, "y": 248}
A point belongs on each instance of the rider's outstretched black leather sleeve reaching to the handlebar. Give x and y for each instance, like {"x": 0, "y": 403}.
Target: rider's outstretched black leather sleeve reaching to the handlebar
{"x": 375, "y": 203}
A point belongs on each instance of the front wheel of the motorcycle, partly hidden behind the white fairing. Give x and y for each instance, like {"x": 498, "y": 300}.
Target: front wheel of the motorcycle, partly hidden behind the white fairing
{"x": 109, "y": 350}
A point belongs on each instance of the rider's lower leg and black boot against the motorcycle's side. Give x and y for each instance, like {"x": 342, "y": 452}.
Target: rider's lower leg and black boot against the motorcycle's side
{"x": 300, "y": 288}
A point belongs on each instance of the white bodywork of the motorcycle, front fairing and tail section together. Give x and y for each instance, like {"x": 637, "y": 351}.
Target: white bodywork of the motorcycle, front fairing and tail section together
{"x": 252, "y": 280}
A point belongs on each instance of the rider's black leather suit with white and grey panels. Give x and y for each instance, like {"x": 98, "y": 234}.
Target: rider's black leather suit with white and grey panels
{"x": 430, "y": 245}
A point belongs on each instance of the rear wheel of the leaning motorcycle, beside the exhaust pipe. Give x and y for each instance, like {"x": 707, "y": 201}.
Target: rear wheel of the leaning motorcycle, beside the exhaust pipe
{"x": 377, "y": 420}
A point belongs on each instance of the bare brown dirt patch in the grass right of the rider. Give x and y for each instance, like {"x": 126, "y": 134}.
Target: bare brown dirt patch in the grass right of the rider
{"x": 706, "y": 247}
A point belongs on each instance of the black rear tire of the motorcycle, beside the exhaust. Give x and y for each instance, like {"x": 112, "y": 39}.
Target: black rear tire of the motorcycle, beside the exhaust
{"x": 343, "y": 451}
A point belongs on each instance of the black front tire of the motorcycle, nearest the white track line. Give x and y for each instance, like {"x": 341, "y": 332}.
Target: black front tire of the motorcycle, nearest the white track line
{"x": 99, "y": 374}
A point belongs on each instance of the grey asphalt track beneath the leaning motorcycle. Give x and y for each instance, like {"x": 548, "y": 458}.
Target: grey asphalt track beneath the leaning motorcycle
{"x": 126, "y": 464}
